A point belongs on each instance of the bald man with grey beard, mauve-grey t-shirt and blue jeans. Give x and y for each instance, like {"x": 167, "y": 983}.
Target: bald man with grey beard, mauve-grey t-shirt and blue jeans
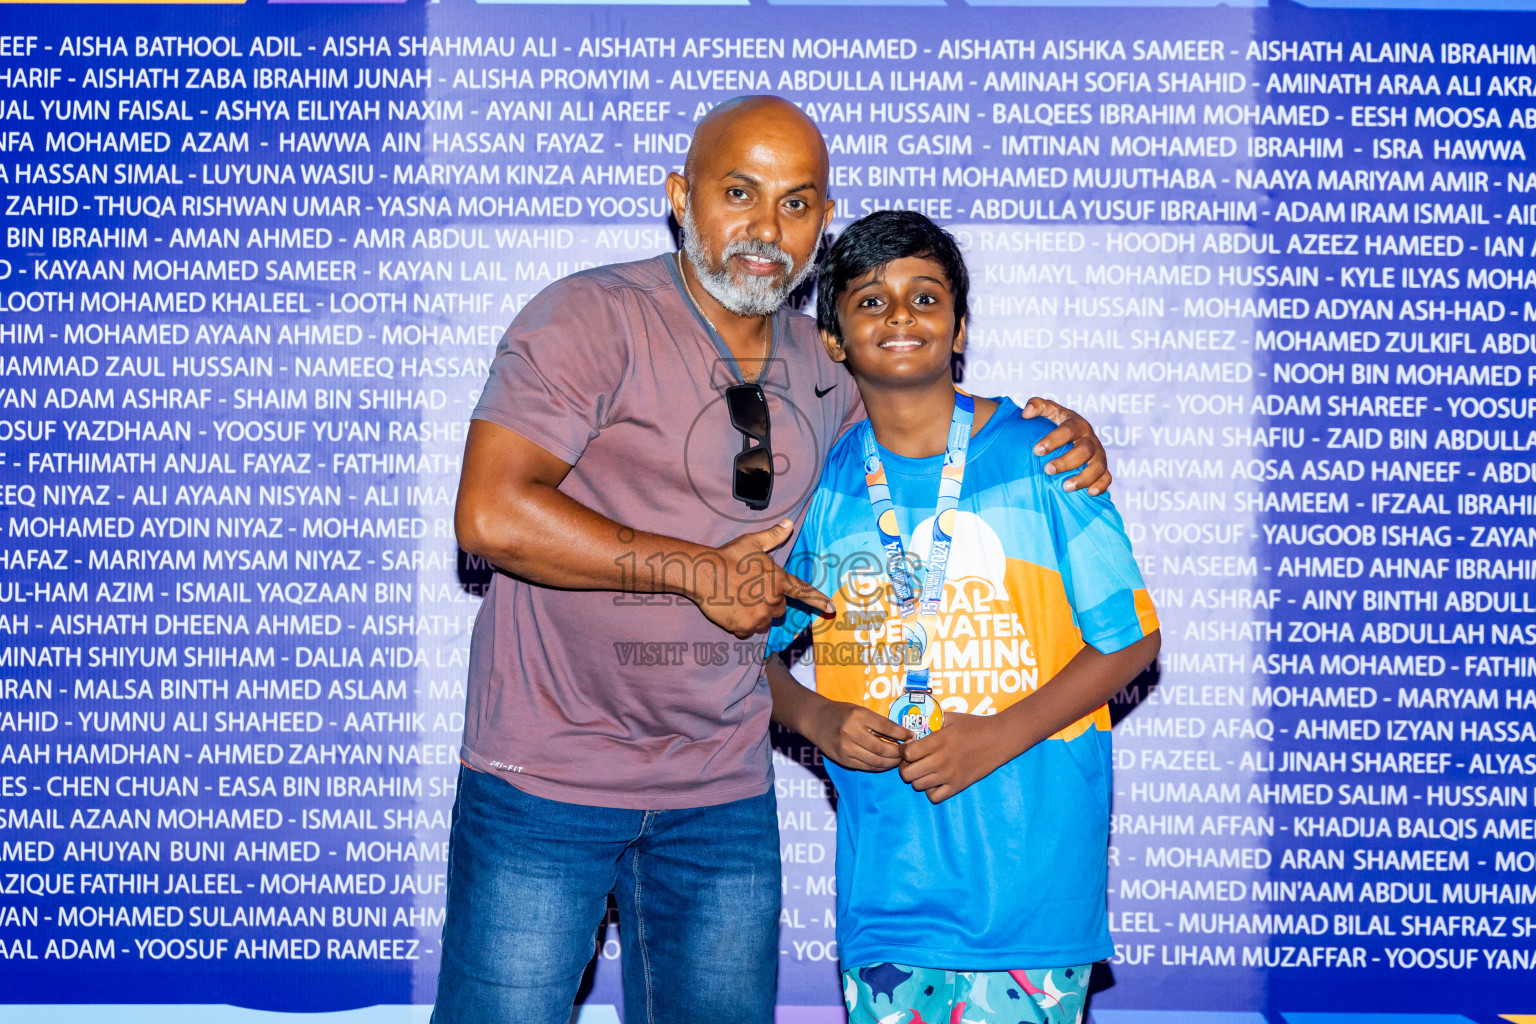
{"x": 649, "y": 435}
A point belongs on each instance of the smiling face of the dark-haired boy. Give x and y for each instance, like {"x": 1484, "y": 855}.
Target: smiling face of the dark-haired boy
{"x": 898, "y": 325}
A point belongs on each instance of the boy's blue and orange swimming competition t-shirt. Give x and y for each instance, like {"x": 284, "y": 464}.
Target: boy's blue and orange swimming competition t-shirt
{"x": 1011, "y": 873}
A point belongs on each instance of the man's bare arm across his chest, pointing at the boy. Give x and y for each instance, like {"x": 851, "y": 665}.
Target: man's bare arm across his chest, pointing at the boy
{"x": 512, "y": 514}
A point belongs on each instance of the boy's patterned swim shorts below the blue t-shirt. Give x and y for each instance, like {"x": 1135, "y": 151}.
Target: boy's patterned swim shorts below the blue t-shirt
{"x": 892, "y": 994}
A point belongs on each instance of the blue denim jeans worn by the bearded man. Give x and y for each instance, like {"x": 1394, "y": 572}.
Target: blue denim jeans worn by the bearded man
{"x": 529, "y": 884}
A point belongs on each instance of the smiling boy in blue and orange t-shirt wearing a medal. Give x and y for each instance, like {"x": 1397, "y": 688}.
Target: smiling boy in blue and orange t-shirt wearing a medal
{"x": 970, "y": 880}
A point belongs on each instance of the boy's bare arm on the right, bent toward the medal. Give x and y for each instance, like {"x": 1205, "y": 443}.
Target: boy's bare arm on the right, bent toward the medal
{"x": 970, "y": 748}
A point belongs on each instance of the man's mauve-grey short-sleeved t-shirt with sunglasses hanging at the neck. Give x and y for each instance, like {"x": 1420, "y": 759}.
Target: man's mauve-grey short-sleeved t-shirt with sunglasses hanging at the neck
{"x": 626, "y": 699}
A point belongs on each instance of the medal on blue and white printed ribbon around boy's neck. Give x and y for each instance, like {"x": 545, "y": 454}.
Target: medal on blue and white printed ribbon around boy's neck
{"x": 916, "y": 707}
